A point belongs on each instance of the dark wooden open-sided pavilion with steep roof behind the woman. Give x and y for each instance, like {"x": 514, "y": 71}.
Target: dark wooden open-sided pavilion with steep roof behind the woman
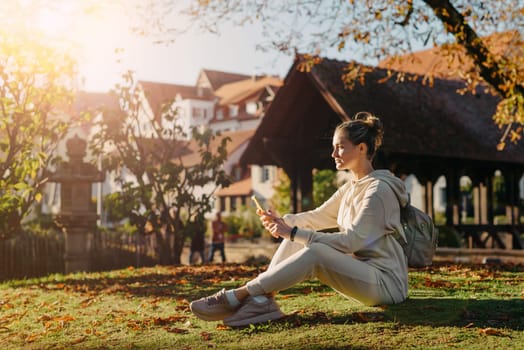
{"x": 430, "y": 131}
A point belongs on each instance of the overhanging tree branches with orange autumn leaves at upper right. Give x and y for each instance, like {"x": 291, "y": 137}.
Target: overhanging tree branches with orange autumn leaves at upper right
{"x": 372, "y": 31}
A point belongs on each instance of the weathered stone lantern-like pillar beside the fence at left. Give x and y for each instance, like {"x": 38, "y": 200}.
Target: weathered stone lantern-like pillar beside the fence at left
{"x": 77, "y": 215}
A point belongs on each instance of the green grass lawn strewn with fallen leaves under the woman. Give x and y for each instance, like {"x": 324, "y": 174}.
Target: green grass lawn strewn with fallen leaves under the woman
{"x": 450, "y": 307}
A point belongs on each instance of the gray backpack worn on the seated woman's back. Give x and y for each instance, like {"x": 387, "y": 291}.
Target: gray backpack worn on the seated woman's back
{"x": 421, "y": 235}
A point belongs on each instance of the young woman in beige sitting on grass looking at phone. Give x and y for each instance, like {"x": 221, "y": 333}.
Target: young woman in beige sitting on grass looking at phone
{"x": 363, "y": 261}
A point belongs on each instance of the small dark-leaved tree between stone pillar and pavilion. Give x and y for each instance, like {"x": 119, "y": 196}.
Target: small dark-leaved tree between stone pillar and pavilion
{"x": 161, "y": 191}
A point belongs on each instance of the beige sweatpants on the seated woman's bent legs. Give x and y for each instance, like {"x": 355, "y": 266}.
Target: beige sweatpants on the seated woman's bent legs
{"x": 355, "y": 279}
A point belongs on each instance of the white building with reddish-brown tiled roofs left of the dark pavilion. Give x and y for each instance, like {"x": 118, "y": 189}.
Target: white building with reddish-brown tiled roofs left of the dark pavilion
{"x": 233, "y": 104}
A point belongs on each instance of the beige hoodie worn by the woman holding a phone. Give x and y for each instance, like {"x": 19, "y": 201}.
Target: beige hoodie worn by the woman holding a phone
{"x": 366, "y": 212}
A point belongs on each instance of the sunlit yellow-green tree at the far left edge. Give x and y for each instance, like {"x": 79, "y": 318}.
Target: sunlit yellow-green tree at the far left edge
{"x": 36, "y": 92}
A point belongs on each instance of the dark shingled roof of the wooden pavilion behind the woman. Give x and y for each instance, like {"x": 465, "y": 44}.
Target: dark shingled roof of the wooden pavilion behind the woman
{"x": 418, "y": 119}
